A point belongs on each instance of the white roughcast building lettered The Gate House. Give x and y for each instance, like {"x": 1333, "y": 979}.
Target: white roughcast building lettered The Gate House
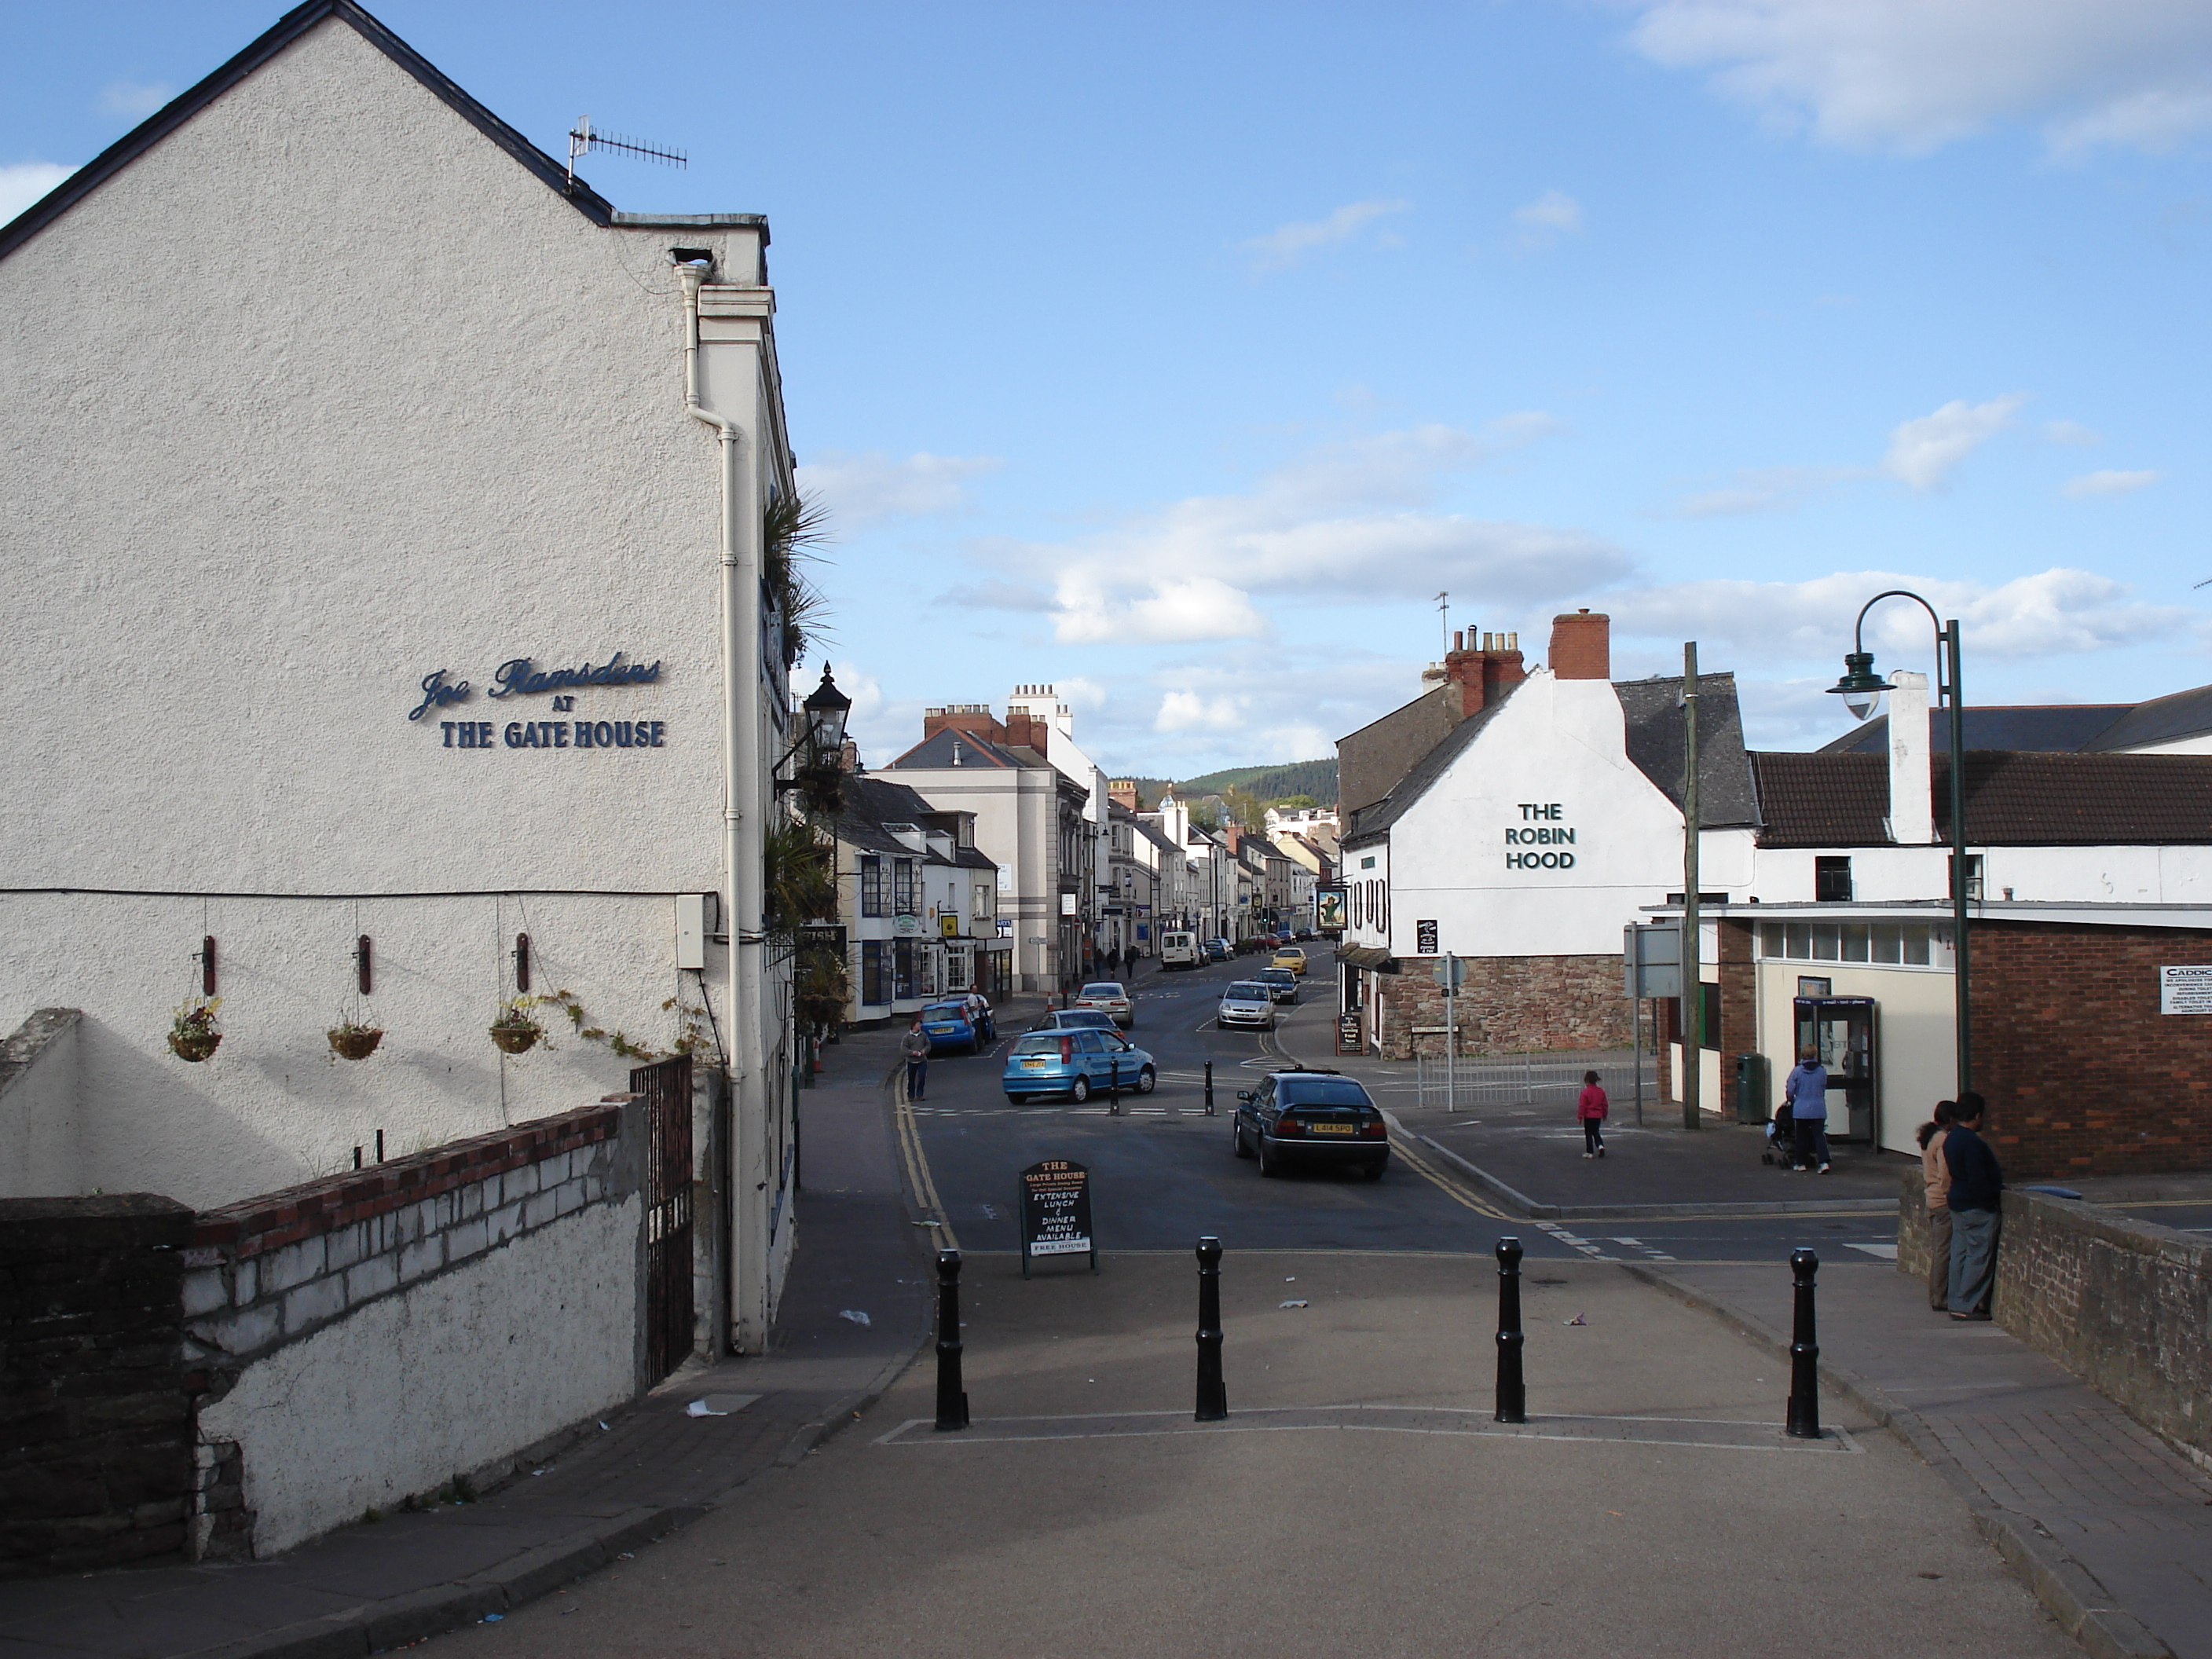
{"x": 384, "y": 541}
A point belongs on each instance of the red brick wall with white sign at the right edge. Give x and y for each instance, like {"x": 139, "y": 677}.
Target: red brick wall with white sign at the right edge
{"x": 2080, "y": 1070}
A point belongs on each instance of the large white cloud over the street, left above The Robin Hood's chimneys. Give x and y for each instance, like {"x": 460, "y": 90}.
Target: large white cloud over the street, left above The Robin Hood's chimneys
{"x": 1346, "y": 523}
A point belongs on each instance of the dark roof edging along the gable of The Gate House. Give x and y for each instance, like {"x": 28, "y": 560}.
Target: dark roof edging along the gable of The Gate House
{"x": 286, "y": 32}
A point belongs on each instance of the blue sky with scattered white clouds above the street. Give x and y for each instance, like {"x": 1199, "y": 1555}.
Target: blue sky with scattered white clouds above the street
{"x": 1182, "y": 355}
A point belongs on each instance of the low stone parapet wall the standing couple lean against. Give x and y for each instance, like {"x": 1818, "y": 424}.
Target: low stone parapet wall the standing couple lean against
{"x": 2127, "y": 1306}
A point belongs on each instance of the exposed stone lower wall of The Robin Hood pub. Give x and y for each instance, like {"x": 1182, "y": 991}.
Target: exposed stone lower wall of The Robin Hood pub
{"x": 1505, "y": 1005}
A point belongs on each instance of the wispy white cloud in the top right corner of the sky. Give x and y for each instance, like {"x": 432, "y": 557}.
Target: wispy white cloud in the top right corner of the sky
{"x": 1917, "y": 74}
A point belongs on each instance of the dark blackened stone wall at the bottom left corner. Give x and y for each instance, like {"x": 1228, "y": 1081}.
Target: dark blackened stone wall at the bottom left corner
{"x": 96, "y": 1461}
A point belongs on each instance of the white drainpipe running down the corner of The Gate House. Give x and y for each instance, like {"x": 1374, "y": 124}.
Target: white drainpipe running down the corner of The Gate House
{"x": 742, "y": 846}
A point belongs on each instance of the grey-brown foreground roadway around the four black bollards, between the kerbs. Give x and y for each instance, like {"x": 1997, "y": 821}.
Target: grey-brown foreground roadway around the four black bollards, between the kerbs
{"x": 1653, "y": 1505}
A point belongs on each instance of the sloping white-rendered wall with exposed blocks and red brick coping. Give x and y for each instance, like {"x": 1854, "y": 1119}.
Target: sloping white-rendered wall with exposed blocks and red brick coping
{"x": 359, "y": 1342}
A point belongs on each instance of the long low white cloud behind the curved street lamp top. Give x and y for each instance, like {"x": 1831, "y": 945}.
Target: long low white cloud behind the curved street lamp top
{"x": 2032, "y": 616}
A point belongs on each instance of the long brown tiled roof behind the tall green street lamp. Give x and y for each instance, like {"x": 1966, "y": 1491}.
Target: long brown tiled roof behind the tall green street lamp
{"x": 2014, "y": 800}
